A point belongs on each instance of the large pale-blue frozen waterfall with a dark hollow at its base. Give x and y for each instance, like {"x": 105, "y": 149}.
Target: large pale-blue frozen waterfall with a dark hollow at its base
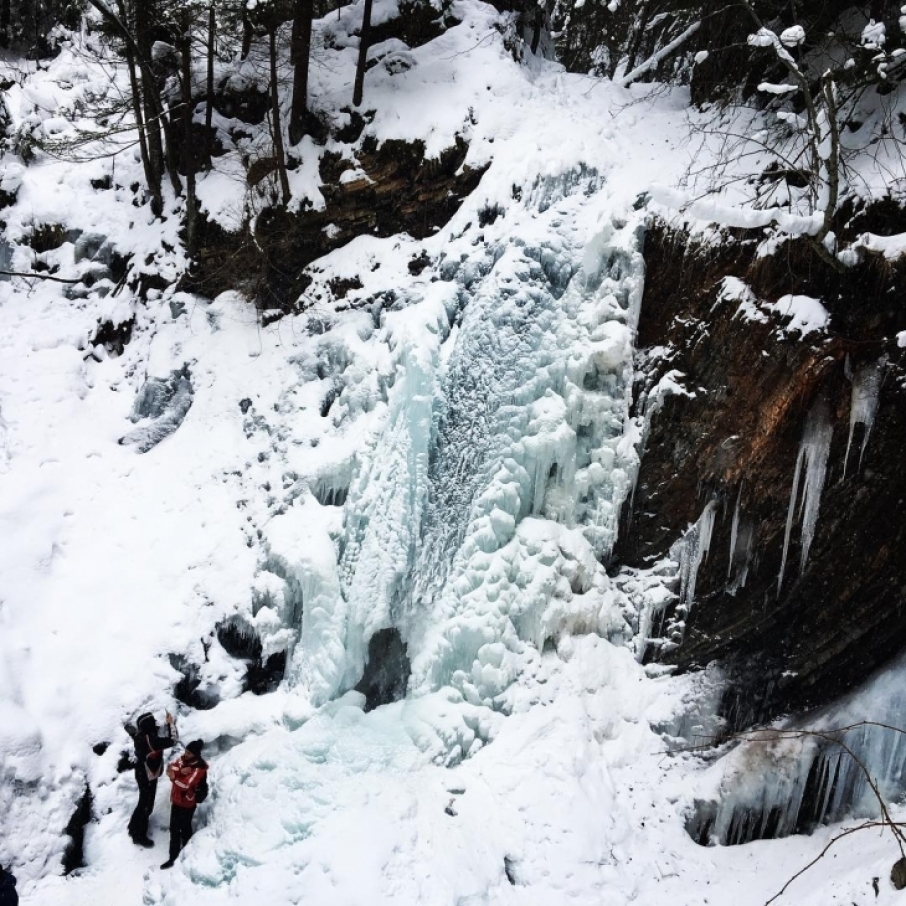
{"x": 479, "y": 513}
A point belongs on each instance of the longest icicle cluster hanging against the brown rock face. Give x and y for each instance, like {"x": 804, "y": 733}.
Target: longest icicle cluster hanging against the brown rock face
{"x": 812, "y": 459}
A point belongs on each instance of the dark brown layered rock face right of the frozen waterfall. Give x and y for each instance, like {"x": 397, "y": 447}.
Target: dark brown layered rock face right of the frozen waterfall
{"x": 735, "y": 442}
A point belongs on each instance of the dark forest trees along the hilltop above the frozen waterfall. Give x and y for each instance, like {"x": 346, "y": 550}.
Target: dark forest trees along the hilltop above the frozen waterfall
{"x": 823, "y": 75}
